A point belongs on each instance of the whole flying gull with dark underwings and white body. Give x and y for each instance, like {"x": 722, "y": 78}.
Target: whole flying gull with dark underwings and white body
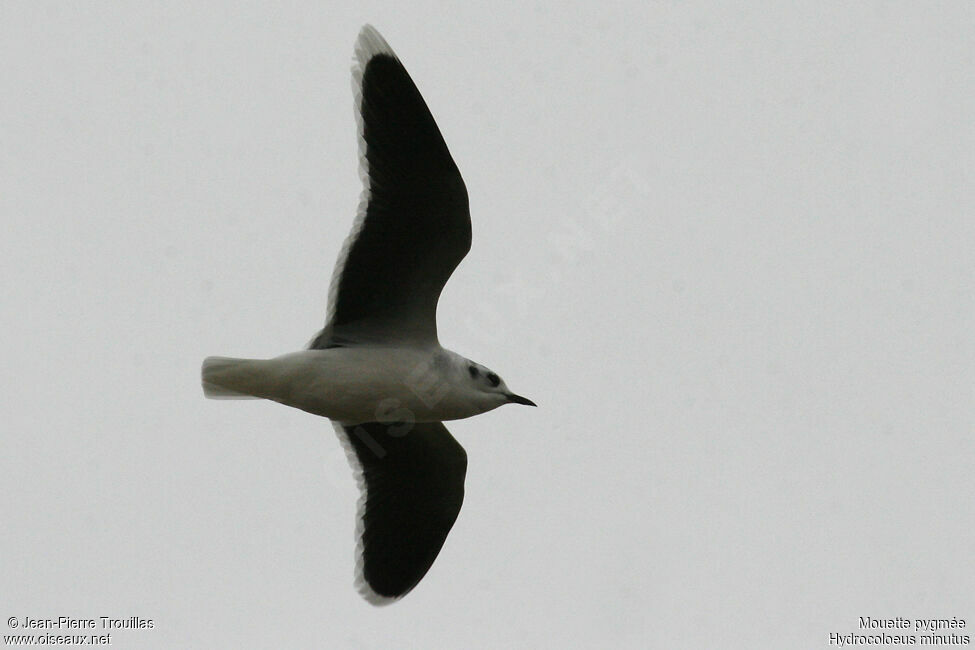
{"x": 377, "y": 369}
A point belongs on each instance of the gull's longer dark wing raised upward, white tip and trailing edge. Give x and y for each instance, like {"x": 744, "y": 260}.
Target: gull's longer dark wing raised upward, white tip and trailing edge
{"x": 413, "y": 227}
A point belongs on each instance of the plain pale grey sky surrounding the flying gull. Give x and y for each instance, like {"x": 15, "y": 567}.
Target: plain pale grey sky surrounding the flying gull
{"x": 726, "y": 248}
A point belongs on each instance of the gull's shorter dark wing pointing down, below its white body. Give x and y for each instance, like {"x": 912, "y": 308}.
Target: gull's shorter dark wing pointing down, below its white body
{"x": 412, "y": 484}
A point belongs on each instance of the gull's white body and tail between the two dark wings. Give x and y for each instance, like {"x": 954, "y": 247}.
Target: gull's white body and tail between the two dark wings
{"x": 357, "y": 384}
